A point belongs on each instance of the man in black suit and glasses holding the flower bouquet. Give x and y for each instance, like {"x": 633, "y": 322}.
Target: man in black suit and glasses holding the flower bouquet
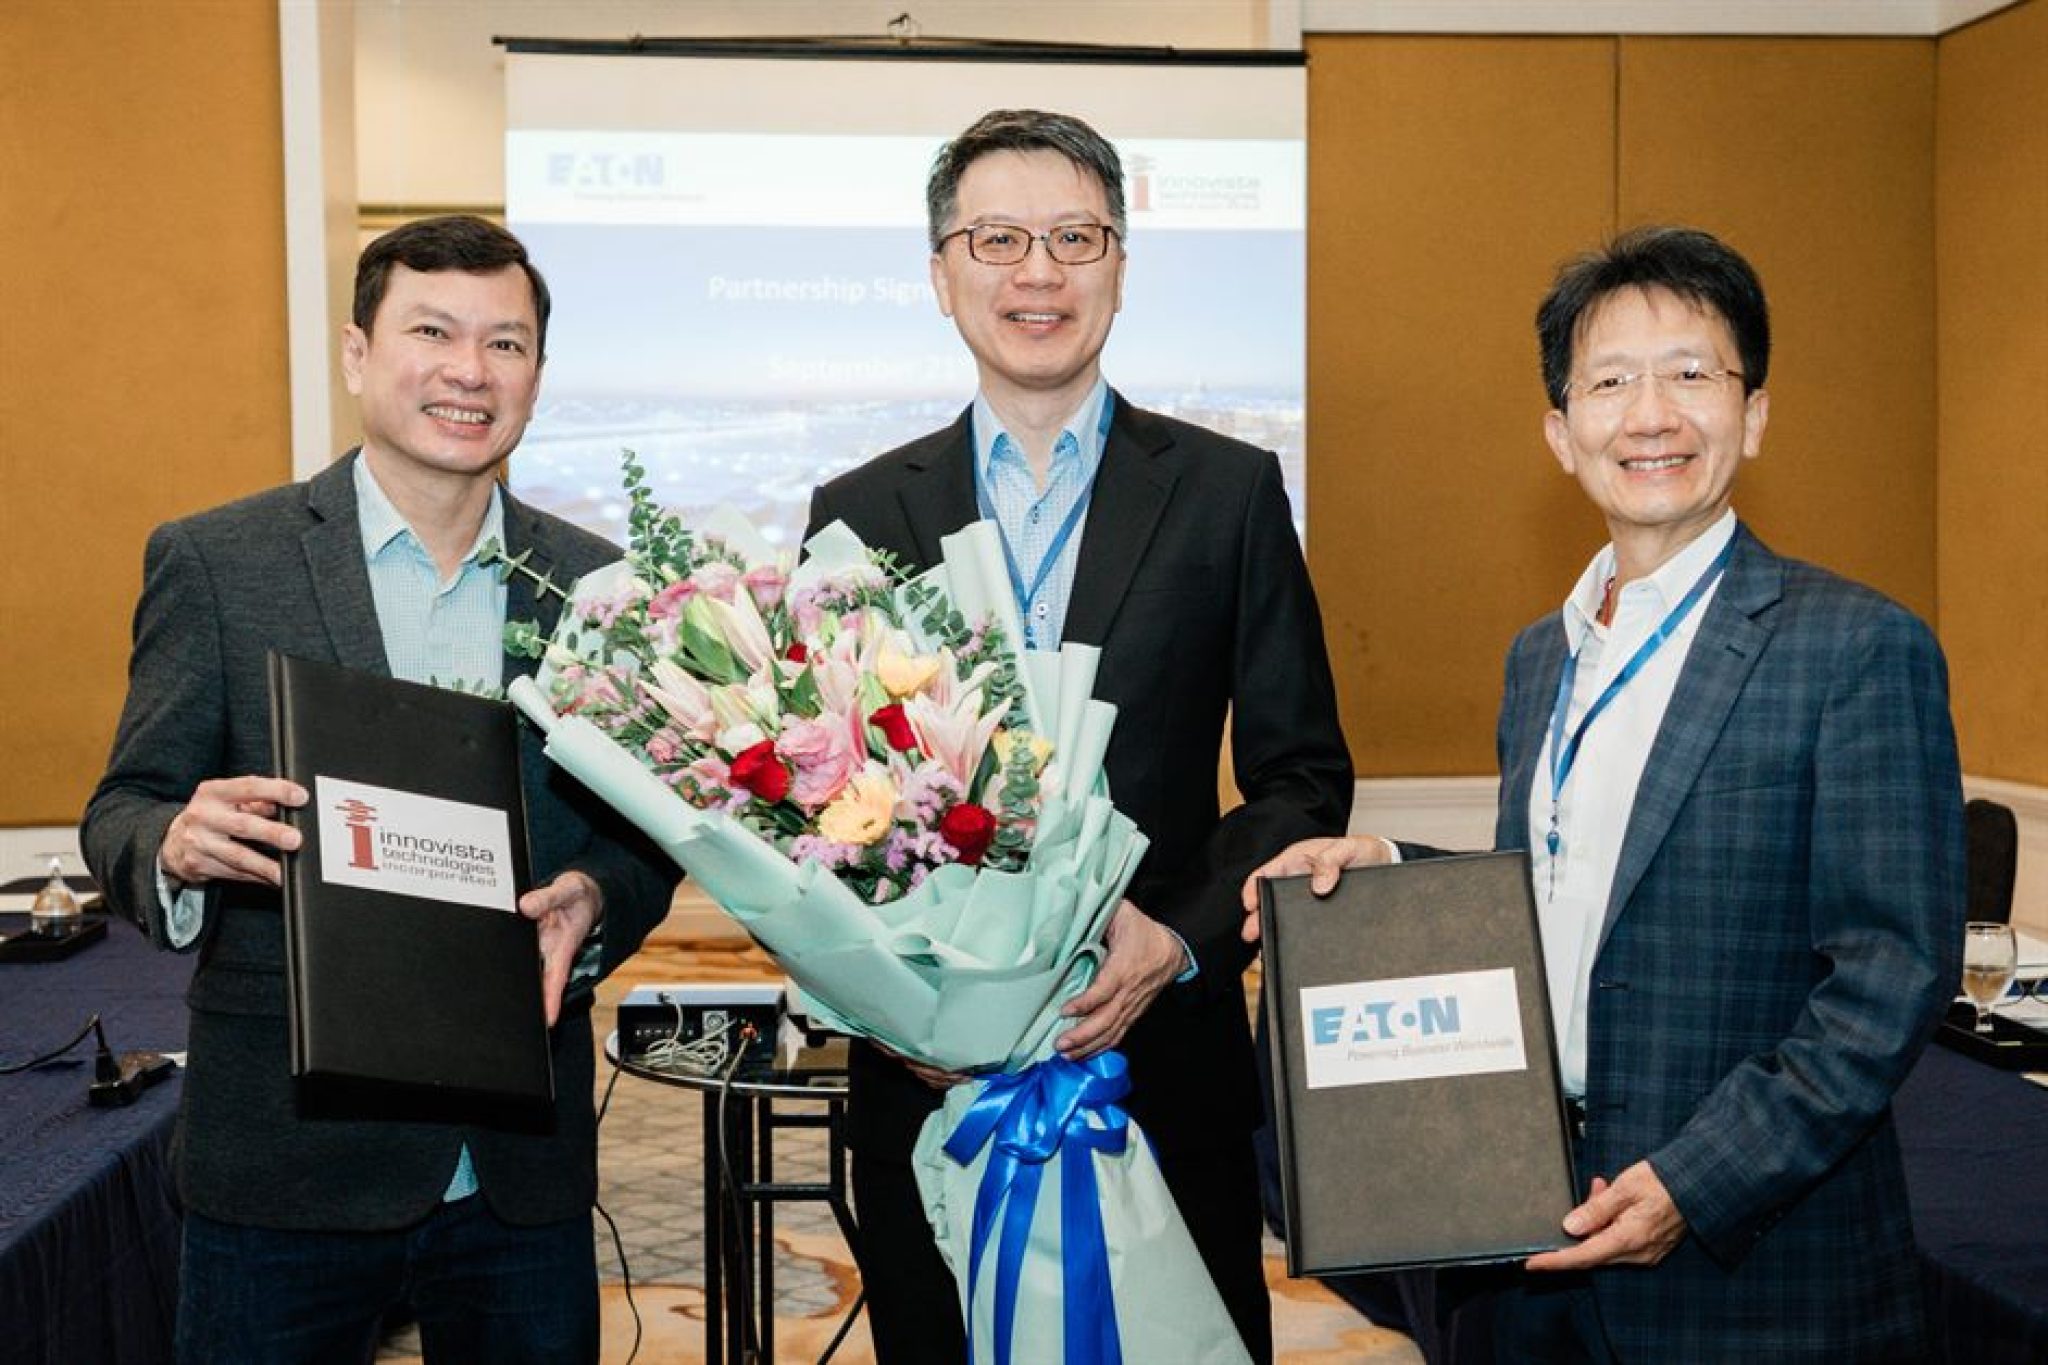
{"x": 1172, "y": 549}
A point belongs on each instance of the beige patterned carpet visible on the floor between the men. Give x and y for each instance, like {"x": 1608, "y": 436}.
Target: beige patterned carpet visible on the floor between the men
{"x": 652, "y": 1186}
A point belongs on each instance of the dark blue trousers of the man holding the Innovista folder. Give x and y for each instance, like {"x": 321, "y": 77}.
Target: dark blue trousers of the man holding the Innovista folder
{"x": 482, "y": 1290}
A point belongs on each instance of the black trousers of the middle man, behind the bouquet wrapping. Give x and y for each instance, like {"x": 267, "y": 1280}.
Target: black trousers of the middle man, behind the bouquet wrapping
{"x": 914, "y": 1303}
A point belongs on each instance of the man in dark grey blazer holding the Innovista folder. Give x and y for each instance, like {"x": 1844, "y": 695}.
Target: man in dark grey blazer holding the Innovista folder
{"x": 304, "y": 1229}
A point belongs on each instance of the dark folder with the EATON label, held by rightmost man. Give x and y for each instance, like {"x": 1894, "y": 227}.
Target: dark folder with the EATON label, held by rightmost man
{"x": 1373, "y": 994}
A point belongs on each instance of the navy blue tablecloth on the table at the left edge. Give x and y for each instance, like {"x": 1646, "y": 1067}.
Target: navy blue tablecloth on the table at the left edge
{"x": 89, "y": 1227}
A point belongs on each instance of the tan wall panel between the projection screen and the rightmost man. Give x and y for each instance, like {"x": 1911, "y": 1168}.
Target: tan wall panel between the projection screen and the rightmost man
{"x": 1447, "y": 179}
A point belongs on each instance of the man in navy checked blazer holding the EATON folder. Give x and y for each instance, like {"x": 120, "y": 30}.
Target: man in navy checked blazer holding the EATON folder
{"x": 1738, "y": 783}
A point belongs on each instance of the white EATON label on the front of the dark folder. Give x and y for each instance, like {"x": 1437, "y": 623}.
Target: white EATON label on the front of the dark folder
{"x": 1414, "y": 1028}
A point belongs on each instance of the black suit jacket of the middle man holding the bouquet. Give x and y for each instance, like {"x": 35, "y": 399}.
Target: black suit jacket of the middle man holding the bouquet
{"x": 1193, "y": 584}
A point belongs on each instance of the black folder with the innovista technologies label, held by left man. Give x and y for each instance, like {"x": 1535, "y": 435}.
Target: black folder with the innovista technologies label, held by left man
{"x": 407, "y": 961}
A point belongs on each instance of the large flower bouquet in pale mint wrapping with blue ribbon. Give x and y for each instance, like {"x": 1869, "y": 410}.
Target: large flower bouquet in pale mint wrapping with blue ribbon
{"x": 910, "y": 816}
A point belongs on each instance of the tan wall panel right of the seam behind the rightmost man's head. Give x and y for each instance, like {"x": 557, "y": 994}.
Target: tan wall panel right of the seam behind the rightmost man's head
{"x": 1816, "y": 159}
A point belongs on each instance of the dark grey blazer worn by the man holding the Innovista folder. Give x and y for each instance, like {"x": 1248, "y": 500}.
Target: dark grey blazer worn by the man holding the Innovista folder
{"x": 284, "y": 570}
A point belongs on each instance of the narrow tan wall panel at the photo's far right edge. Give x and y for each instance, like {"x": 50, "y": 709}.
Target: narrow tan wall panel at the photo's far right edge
{"x": 1994, "y": 380}
